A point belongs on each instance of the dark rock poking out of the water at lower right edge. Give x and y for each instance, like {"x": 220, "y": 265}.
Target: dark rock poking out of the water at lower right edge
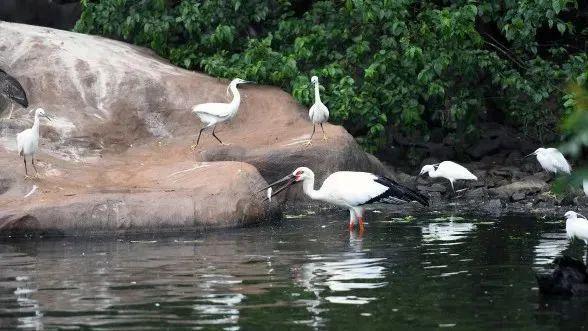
{"x": 569, "y": 277}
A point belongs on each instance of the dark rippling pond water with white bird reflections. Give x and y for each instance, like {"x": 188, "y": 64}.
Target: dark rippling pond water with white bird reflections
{"x": 305, "y": 273}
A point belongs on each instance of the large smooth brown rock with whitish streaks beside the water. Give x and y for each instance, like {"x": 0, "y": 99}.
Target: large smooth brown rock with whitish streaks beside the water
{"x": 117, "y": 156}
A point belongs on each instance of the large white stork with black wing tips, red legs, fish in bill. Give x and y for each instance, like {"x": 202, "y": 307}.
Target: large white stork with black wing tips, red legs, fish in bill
{"x": 352, "y": 190}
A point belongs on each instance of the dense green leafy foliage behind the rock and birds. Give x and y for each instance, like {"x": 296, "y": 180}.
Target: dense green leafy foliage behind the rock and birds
{"x": 388, "y": 66}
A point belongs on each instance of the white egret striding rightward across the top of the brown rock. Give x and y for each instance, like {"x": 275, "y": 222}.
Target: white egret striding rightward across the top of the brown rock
{"x": 213, "y": 113}
